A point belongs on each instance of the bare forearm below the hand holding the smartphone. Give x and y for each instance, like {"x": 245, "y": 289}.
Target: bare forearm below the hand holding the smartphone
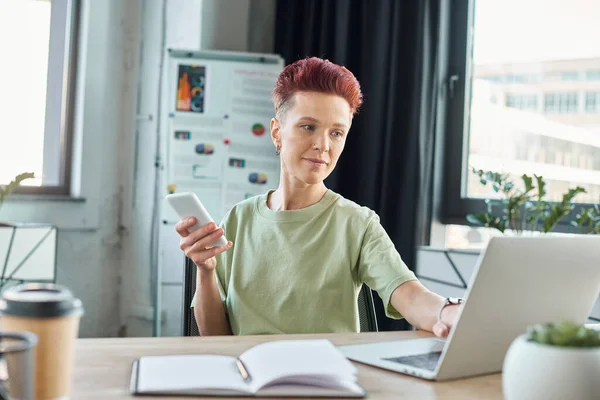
{"x": 208, "y": 309}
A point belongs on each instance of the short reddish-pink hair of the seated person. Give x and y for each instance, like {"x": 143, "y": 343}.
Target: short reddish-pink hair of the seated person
{"x": 316, "y": 75}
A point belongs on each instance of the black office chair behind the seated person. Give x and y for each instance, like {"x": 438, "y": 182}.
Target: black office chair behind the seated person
{"x": 366, "y": 308}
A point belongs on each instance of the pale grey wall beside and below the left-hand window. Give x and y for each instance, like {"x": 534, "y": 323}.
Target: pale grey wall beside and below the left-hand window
{"x": 90, "y": 231}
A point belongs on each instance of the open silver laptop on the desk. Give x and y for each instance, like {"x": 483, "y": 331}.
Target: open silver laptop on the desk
{"x": 518, "y": 282}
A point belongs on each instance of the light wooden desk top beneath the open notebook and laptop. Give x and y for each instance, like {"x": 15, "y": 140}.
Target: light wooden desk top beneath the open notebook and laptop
{"x": 103, "y": 366}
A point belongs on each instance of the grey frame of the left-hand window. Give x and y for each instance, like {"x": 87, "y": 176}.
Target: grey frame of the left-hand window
{"x": 60, "y": 98}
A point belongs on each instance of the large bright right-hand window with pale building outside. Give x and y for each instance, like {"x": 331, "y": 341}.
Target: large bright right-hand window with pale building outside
{"x": 561, "y": 143}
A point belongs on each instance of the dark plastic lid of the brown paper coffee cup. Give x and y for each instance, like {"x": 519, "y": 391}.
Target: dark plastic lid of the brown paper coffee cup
{"x": 44, "y": 300}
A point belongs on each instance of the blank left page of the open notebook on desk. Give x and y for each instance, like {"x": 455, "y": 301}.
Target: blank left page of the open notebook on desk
{"x": 191, "y": 373}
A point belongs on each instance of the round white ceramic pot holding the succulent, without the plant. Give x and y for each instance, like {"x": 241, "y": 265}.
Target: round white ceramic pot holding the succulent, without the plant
{"x": 534, "y": 371}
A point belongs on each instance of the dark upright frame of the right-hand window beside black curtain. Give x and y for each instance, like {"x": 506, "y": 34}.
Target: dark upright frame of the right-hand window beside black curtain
{"x": 454, "y": 206}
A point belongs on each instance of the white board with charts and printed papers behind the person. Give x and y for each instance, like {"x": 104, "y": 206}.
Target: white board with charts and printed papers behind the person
{"x": 218, "y": 142}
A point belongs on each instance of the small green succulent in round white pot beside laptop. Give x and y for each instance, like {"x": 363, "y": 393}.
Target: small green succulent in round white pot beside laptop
{"x": 553, "y": 361}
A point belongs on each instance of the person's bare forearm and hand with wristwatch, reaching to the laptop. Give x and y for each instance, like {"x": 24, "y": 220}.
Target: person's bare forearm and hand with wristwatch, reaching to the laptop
{"x": 420, "y": 307}
